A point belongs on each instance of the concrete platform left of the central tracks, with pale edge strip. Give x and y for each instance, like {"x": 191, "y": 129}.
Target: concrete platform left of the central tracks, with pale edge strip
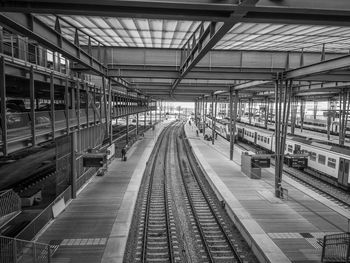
{"x": 94, "y": 227}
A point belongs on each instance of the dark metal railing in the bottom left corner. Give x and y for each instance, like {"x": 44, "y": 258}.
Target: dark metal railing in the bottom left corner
{"x": 21, "y": 251}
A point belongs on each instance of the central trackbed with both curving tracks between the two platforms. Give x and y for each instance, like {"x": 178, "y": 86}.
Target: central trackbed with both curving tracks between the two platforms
{"x": 159, "y": 232}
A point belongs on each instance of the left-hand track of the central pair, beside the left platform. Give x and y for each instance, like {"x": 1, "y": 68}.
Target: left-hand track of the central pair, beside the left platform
{"x": 158, "y": 240}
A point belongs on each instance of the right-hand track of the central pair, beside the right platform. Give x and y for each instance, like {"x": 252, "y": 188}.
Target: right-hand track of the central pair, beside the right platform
{"x": 216, "y": 238}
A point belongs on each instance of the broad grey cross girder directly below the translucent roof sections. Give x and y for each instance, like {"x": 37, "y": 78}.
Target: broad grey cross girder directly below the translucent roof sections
{"x": 225, "y": 65}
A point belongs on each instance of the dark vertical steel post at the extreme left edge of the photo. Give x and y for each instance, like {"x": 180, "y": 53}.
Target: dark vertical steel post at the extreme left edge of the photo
{"x": 3, "y": 105}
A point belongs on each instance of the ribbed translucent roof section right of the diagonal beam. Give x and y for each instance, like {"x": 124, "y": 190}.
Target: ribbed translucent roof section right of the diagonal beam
{"x": 281, "y": 37}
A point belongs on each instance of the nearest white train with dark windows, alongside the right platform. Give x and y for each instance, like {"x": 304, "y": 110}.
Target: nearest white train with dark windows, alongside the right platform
{"x": 332, "y": 163}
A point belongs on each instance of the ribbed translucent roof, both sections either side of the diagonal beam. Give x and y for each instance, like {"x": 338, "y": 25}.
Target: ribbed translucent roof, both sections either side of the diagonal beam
{"x": 157, "y": 33}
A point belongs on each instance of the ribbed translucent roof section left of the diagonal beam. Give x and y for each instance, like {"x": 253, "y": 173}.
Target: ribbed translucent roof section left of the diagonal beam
{"x": 127, "y": 32}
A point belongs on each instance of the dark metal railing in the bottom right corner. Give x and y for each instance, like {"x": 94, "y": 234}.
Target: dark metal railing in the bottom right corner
{"x": 336, "y": 248}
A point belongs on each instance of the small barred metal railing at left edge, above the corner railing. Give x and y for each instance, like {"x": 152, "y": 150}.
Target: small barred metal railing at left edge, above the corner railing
{"x": 10, "y": 202}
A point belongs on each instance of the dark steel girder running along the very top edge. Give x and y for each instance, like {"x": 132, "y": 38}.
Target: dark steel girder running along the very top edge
{"x": 325, "y": 12}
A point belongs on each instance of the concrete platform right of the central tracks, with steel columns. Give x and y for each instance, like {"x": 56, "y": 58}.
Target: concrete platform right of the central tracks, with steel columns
{"x": 277, "y": 230}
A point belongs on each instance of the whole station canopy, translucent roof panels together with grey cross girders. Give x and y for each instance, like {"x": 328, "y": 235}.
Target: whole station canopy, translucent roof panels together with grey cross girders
{"x": 148, "y": 53}
